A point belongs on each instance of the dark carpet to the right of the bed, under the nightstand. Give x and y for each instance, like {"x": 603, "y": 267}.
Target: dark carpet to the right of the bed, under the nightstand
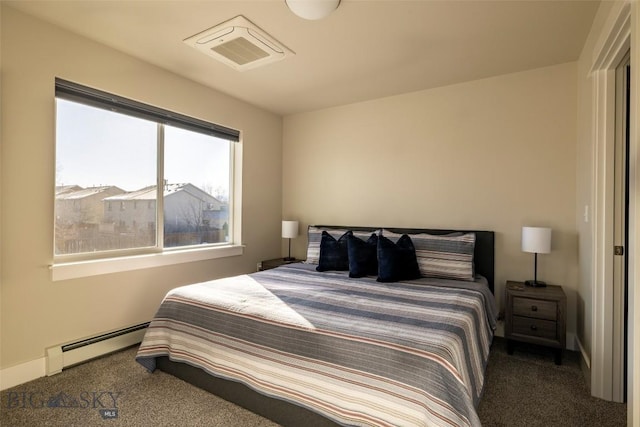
{"x": 527, "y": 389}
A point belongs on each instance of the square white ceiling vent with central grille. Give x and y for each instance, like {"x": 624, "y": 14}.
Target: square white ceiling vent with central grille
{"x": 240, "y": 44}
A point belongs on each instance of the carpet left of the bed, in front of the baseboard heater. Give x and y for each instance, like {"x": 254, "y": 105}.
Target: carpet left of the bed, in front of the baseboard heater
{"x": 142, "y": 399}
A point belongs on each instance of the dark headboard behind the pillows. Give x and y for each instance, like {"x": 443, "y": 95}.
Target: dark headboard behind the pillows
{"x": 483, "y": 256}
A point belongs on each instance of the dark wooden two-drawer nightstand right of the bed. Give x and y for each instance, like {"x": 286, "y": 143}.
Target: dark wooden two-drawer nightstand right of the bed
{"x": 536, "y": 316}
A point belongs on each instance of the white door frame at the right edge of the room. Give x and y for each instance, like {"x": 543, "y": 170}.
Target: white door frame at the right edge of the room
{"x": 609, "y": 52}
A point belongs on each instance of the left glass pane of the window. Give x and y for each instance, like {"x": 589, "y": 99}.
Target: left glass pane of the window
{"x": 102, "y": 158}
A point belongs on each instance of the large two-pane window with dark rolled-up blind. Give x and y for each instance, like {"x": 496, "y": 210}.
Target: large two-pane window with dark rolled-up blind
{"x": 111, "y": 150}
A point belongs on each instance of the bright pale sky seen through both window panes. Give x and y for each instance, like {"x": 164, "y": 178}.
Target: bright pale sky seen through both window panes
{"x": 98, "y": 147}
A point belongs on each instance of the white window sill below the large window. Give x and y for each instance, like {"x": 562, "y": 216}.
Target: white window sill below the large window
{"x": 75, "y": 270}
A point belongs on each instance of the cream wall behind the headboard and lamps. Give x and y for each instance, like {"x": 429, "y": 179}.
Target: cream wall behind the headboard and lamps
{"x": 494, "y": 154}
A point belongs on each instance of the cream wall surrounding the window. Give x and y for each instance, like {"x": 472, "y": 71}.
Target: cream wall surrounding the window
{"x": 36, "y": 312}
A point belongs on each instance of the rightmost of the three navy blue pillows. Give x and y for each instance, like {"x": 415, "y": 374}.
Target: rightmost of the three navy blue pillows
{"x": 397, "y": 261}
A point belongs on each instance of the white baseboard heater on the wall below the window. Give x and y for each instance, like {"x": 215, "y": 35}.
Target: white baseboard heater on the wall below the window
{"x": 69, "y": 354}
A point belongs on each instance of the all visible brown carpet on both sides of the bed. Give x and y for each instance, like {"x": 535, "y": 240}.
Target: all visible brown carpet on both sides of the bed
{"x": 525, "y": 389}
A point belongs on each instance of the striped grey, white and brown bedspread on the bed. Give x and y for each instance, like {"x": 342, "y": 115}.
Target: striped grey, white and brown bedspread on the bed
{"x": 357, "y": 351}
